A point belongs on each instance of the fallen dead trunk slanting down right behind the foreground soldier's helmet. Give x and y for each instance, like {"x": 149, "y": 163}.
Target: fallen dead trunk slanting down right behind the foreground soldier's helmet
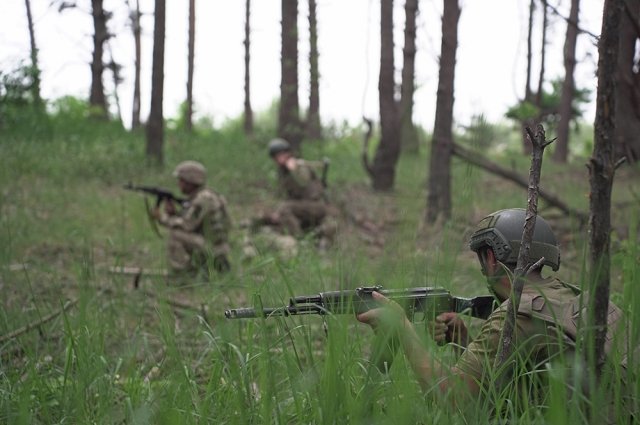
{"x": 478, "y": 160}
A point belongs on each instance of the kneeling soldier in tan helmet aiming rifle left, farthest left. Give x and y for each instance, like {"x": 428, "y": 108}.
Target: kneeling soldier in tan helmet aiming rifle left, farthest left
{"x": 198, "y": 233}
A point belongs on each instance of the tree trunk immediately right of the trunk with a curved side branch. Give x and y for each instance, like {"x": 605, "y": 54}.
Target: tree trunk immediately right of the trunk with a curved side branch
{"x": 408, "y": 134}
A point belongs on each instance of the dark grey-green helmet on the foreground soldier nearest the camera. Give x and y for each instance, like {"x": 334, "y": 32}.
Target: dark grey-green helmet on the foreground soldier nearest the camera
{"x": 502, "y": 232}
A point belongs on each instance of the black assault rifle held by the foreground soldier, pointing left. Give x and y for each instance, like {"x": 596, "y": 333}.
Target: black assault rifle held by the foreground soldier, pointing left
{"x": 426, "y": 301}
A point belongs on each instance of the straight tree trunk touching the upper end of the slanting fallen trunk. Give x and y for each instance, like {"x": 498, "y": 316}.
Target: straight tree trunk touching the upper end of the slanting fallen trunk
{"x": 439, "y": 196}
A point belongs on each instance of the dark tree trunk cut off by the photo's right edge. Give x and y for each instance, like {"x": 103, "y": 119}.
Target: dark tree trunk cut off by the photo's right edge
{"x": 626, "y": 141}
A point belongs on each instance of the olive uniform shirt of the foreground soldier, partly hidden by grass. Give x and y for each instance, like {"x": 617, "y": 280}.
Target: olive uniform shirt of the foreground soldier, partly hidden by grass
{"x": 546, "y": 331}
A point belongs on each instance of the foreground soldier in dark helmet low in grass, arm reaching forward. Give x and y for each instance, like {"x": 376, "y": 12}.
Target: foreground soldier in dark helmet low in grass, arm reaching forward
{"x": 547, "y": 325}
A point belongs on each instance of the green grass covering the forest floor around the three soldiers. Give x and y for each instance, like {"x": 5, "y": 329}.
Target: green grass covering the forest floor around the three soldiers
{"x": 124, "y": 356}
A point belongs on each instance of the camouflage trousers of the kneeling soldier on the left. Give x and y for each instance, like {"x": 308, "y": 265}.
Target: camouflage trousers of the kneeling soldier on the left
{"x": 189, "y": 252}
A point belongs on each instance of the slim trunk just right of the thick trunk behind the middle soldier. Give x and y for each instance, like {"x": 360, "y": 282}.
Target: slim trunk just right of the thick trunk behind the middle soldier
{"x": 314, "y": 129}
